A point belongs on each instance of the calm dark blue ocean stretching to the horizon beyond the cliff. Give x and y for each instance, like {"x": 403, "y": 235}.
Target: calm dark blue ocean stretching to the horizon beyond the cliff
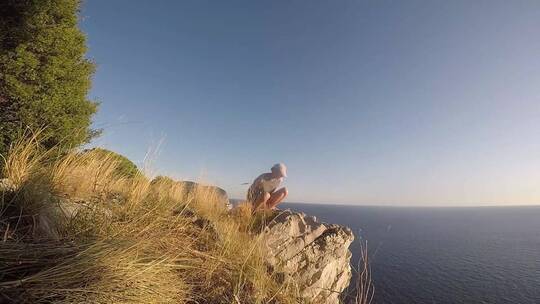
{"x": 445, "y": 255}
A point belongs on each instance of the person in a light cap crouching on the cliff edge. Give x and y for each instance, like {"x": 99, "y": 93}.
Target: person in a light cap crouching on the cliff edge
{"x": 263, "y": 193}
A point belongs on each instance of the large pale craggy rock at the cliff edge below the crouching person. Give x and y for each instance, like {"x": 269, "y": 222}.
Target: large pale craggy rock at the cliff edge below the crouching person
{"x": 314, "y": 254}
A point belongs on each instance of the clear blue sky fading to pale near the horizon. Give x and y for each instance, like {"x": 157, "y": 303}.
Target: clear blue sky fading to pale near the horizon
{"x": 367, "y": 102}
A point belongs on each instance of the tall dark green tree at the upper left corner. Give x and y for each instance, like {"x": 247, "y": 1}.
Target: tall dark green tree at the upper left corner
{"x": 44, "y": 75}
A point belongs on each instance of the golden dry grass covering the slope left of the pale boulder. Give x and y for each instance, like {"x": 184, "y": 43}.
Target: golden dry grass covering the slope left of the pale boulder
{"x": 73, "y": 231}
